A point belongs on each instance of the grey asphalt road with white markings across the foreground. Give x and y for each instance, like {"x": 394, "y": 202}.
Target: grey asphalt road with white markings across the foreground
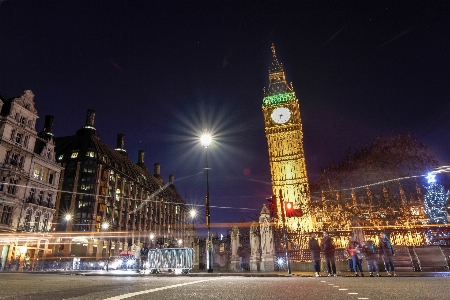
{"x": 57, "y": 286}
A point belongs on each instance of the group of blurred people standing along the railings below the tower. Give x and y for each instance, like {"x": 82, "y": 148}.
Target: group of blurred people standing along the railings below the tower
{"x": 355, "y": 252}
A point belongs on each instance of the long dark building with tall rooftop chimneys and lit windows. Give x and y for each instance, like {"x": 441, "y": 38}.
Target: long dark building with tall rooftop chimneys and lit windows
{"x": 101, "y": 185}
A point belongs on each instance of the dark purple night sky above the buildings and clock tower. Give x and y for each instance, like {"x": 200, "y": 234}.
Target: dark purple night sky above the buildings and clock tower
{"x": 161, "y": 71}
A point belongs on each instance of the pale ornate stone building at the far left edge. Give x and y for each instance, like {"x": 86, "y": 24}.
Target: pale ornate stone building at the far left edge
{"x": 29, "y": 177}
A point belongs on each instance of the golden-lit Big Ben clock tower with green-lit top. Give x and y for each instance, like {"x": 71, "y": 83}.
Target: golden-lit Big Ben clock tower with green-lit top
{"x": 284, "y": 134}
